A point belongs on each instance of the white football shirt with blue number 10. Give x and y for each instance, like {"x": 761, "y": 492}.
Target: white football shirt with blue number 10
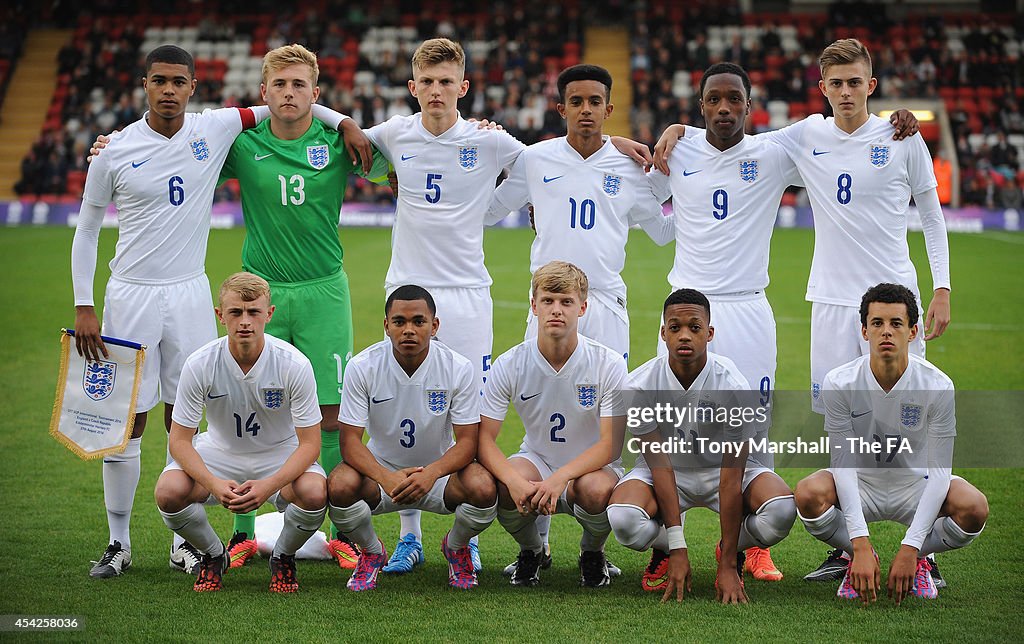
{"x": 583, "y": 208}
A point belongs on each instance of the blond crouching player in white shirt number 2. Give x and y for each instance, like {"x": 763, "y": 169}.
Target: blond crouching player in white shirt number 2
{"x": 568, "y": 391}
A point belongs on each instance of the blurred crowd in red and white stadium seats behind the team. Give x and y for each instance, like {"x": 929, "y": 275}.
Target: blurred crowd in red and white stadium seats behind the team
{"x": 516, "y": 52}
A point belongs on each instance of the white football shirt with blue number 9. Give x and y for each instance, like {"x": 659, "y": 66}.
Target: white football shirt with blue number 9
{"x": 726, "y": 205}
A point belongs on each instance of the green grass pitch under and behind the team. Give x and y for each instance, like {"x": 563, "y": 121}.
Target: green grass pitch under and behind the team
{"x": 54, "y": 523}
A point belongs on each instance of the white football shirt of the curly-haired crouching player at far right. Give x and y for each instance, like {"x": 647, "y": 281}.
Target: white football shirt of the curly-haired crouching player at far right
{"x": 919, "y": 409}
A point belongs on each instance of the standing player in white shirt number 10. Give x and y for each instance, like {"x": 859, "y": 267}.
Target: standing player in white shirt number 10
{"x": 586, "y": 195}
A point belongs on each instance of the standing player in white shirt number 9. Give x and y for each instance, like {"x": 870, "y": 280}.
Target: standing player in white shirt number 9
{"x": 726, "y": 192}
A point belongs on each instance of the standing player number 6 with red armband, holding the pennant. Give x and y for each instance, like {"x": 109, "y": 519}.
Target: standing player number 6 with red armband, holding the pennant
{"x": 161, "y": 174}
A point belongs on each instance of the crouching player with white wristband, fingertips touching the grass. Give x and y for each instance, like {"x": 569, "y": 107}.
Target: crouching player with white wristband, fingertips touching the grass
{"x": 756, "y": 507}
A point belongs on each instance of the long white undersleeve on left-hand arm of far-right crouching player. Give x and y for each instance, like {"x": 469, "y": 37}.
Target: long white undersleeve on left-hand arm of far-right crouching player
{"x": 839, "y": 426}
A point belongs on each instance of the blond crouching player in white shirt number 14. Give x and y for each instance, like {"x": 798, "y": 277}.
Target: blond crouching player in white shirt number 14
{"x": 261, "y": 402}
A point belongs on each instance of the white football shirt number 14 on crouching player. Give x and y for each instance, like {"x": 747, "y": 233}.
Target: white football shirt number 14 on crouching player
{"x": 248, "y": 413}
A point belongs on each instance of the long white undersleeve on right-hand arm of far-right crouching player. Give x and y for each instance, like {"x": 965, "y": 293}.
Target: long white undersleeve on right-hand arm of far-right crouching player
{"x": 942, "y": 432}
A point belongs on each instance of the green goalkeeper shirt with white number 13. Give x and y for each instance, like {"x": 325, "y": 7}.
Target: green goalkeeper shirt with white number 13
{"x": 292, "y": 193}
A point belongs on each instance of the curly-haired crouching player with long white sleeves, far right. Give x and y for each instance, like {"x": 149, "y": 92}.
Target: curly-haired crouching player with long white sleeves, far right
{"x": 891, "y": 421}
